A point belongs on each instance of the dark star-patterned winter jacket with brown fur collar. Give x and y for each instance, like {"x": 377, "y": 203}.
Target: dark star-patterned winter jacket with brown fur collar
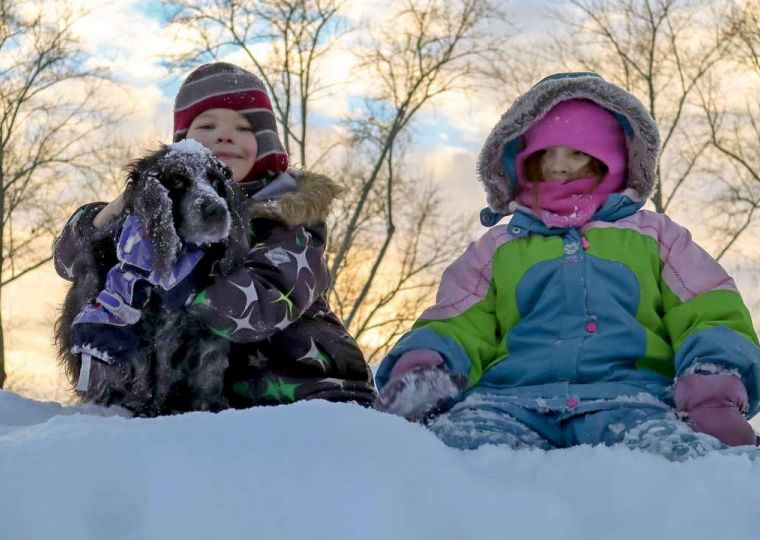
{"x": 286, "y": 343}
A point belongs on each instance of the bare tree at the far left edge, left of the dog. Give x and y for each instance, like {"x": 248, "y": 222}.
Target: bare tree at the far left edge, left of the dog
{"x": 48, "y": 117}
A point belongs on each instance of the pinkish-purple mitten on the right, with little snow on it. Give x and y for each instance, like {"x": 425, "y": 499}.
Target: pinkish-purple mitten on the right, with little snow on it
{"x": 714, "y": 405}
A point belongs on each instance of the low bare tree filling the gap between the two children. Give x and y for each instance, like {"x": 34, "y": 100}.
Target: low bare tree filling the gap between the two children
{"x": 401, "y": 244}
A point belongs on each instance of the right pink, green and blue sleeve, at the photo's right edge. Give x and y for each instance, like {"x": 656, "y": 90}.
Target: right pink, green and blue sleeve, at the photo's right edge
{"x": 704, "y": 314}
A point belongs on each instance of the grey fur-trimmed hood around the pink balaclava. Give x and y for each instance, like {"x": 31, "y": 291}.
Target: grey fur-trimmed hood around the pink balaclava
{"x": 496, "y": 161}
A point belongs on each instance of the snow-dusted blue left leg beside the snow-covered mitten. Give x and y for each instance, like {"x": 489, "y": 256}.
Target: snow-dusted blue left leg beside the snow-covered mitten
{"x": 473, "y": 423}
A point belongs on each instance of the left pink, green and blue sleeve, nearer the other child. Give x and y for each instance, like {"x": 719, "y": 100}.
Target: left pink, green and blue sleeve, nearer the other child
{"x": 462, "y": 326}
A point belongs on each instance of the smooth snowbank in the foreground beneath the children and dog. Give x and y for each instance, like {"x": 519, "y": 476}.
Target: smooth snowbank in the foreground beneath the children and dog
{"x": 336, "y": 471}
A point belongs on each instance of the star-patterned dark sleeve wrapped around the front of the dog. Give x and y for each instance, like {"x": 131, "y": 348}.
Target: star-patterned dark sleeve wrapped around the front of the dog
{"x": 283, "y": 276}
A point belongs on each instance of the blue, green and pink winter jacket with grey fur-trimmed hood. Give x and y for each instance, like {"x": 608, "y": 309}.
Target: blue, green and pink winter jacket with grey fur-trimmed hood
{"x": 582, "y": 319}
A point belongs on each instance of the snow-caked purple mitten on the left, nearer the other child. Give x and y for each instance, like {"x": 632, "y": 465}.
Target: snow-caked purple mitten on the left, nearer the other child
{"x": 419, "y": 387}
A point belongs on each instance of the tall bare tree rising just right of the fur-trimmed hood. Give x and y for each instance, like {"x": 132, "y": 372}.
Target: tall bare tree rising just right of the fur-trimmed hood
{"x": 659, "y": 50}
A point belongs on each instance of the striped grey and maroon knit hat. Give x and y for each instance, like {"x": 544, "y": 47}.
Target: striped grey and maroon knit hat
{"x": 225, "y": 86}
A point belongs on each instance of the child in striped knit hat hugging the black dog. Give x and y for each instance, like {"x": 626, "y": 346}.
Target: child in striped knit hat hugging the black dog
{"x": 286, "y": 343}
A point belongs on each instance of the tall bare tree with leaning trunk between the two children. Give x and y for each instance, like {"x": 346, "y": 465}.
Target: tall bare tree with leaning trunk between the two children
{"x": 432, "y": 47}
